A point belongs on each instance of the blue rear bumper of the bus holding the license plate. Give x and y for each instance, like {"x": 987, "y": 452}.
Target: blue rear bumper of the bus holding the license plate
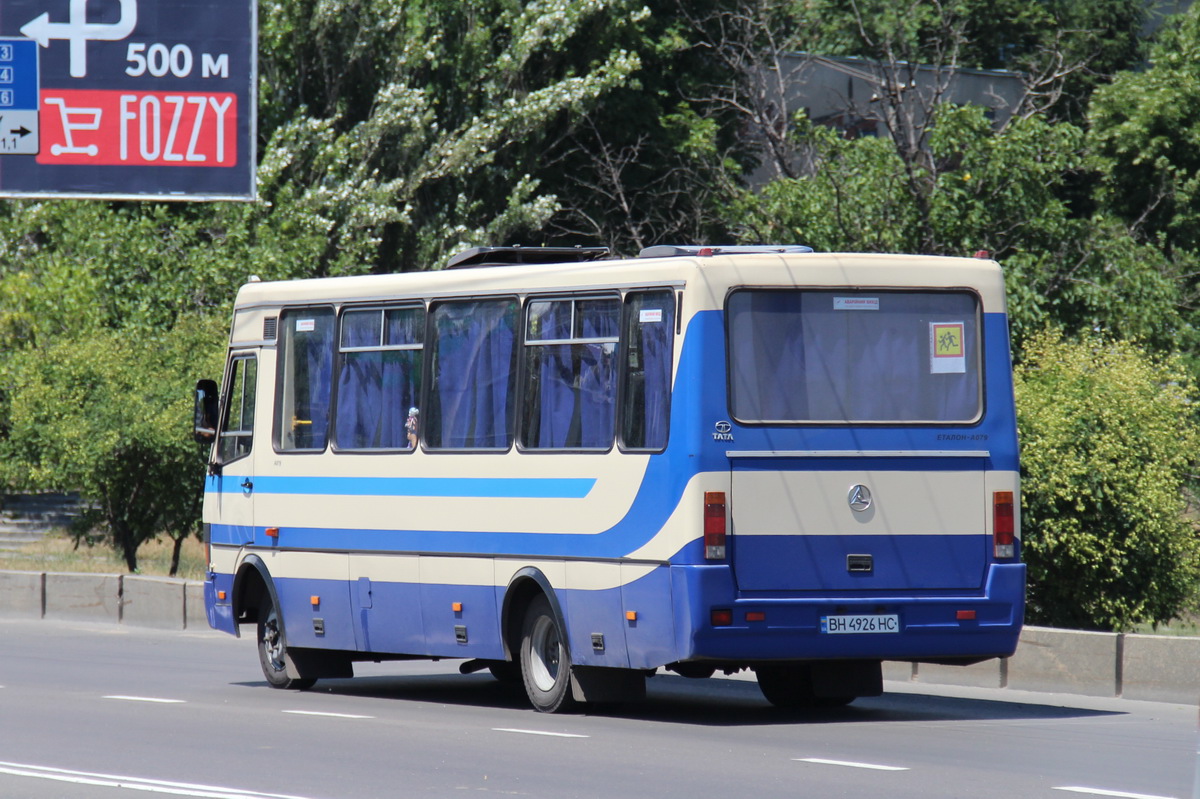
{"x": 724, "y": 626}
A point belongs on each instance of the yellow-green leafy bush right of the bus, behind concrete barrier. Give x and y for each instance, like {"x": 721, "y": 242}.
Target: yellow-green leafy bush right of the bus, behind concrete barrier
{"x": 1108, "y": 440}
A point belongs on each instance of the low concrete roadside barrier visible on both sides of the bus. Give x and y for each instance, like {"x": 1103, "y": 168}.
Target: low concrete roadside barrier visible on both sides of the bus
{"x": 1156, "y": 669}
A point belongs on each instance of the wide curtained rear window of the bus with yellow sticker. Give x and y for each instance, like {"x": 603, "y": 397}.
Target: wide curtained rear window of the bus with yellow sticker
{"x": 854, "y": 357}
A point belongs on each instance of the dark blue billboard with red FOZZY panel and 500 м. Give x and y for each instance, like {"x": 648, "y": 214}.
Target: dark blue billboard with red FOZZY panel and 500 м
{"x": 128, "y": 99}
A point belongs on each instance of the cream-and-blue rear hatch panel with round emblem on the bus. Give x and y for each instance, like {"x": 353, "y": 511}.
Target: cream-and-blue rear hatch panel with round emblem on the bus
{"x": 859, "y": 522}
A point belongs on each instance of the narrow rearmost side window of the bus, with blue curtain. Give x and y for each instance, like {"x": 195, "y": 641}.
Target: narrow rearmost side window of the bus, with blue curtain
{"x": 646, "y": 387}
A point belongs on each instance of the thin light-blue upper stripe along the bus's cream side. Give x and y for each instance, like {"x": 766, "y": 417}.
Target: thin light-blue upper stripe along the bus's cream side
{"x": 455, "y": 488}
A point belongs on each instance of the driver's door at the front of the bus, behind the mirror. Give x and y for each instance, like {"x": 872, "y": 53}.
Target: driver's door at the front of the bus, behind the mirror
{"x": 231, "y": 483}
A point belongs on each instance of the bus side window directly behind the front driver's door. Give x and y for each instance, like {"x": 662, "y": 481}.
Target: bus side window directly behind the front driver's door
{"x": 305, "y": 380}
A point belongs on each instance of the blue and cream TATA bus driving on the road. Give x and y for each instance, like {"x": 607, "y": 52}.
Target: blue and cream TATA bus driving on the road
{"x": 575, "y": 471}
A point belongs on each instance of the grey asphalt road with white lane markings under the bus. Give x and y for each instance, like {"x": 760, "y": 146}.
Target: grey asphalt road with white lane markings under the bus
{"x": 118, "y": 713}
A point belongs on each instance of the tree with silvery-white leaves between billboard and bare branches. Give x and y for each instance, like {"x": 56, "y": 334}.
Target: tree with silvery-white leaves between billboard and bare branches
{"x": 398, "y": 133}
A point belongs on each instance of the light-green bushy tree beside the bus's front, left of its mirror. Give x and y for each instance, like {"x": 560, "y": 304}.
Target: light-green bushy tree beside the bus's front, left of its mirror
{"x": 110, "y": 414}
